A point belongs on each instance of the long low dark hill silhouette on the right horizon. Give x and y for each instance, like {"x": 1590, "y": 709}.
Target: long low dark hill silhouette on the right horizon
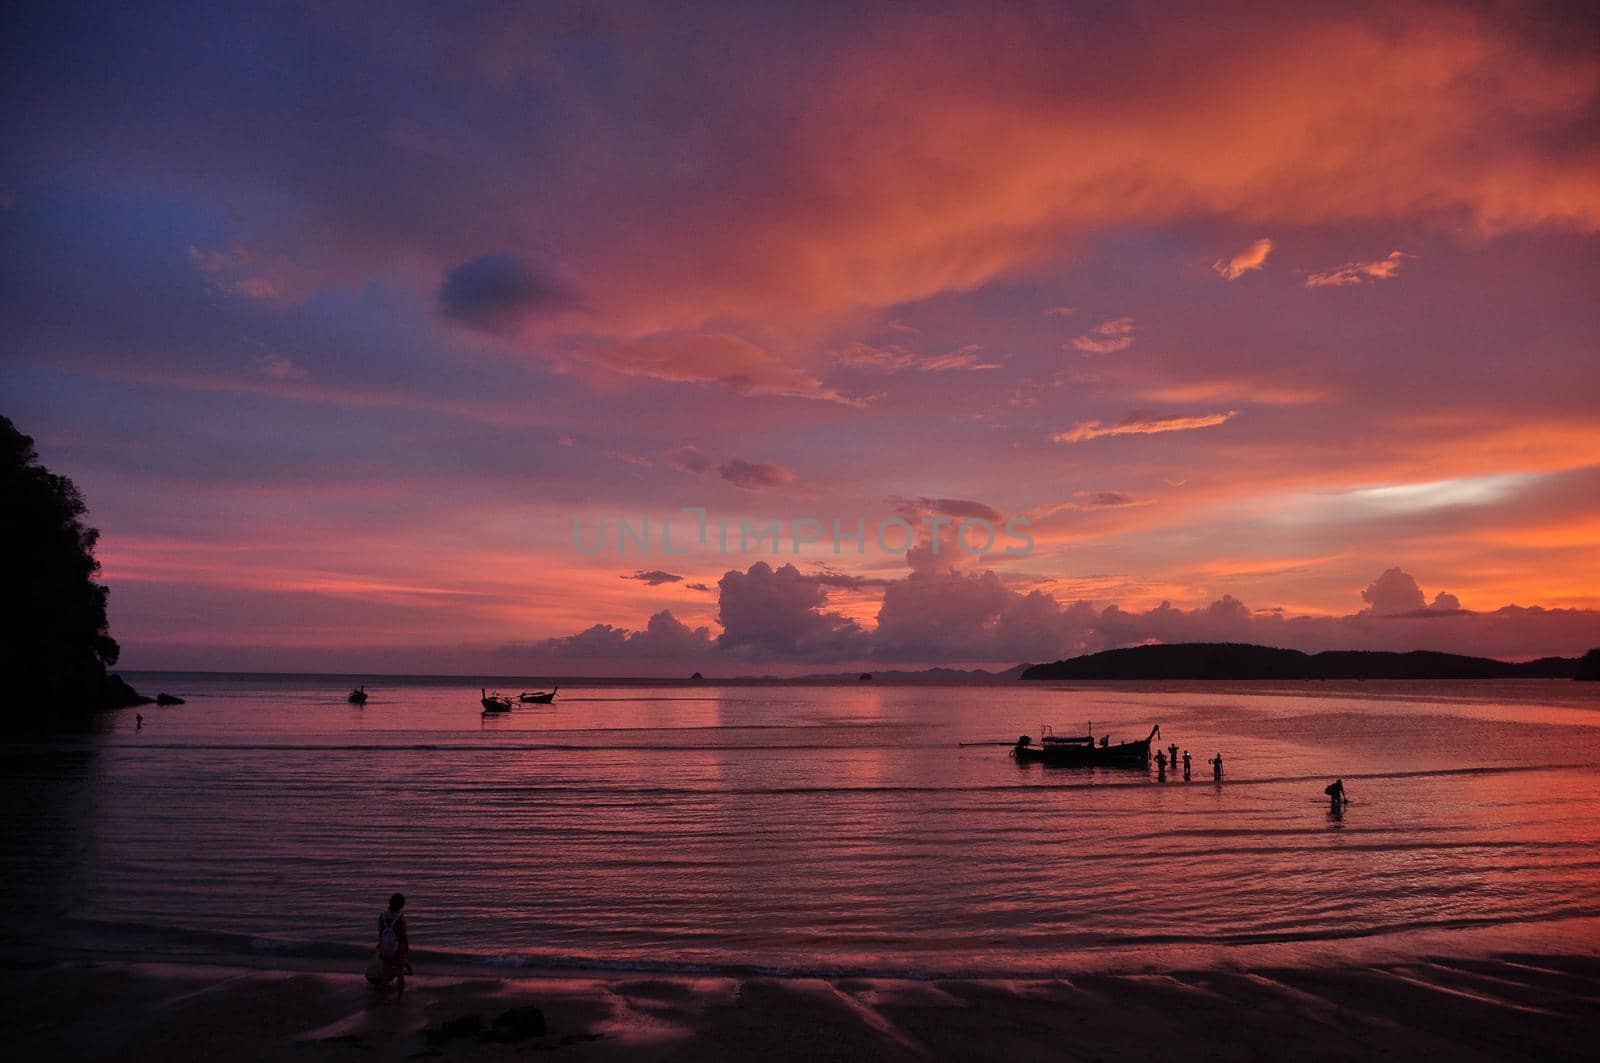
{"x": 1238, "y": 660}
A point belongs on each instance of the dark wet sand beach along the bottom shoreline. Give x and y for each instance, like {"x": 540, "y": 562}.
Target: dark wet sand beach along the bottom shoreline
{"x": 1510, "y": 1006}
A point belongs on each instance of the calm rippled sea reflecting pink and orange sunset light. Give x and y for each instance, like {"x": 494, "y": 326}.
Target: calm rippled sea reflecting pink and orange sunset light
{"x": 809, "y": 828}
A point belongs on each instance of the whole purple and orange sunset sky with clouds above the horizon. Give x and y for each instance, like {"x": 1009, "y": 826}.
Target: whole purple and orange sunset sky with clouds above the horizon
{"x": 1279, "y": 324}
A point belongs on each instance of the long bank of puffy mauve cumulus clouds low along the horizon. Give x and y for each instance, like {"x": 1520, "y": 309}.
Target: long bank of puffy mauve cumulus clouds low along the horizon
{"x": 942, "y": 616}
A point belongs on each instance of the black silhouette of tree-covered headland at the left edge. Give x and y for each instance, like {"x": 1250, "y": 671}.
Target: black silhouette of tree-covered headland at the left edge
{"x": 55, "y": 646}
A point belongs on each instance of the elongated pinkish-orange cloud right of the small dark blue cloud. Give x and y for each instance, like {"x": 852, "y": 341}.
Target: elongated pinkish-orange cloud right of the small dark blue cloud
{"x": 719, "y": 359}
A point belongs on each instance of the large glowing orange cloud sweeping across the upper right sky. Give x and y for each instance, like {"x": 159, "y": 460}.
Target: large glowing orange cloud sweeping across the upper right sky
{"x": 919, "y": 169}
